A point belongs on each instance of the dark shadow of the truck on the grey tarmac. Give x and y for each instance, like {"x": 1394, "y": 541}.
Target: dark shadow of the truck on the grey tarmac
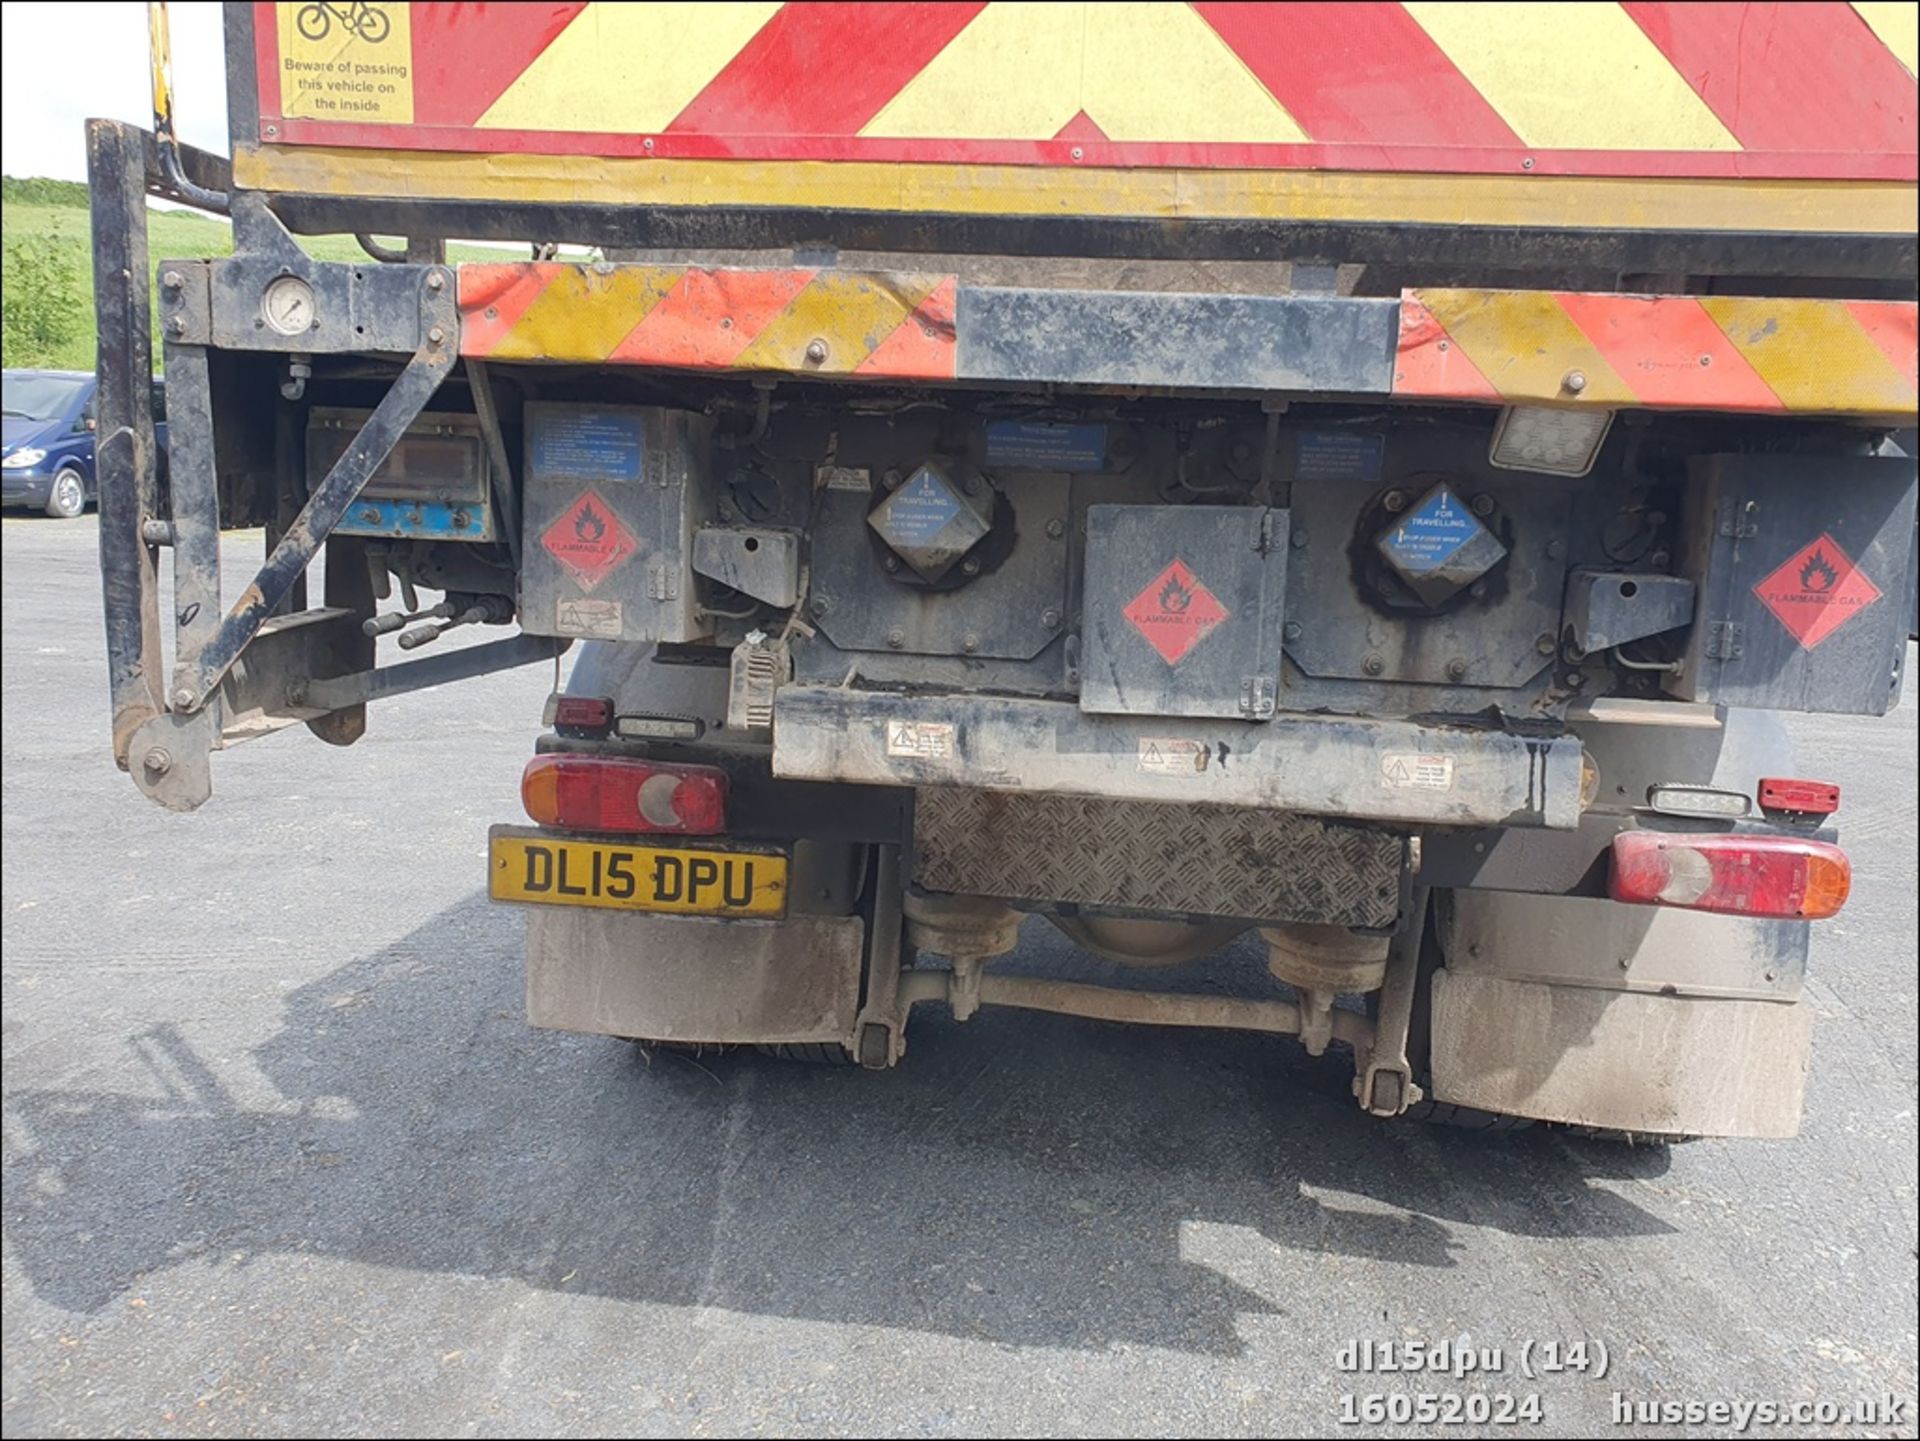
{"x": 1024, "y": 1179}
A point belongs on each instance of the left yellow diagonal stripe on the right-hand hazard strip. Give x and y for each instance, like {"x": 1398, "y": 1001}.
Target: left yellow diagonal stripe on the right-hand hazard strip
{"x": 1525, "y": 344}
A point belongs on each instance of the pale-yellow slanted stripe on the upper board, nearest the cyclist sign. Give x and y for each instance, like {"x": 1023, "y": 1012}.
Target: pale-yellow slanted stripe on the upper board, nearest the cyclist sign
{"x": 627, "y": 66}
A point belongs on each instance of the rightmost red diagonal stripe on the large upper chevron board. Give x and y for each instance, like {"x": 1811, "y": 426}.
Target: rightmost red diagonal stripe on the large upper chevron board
{"x": 1788, "y": 76}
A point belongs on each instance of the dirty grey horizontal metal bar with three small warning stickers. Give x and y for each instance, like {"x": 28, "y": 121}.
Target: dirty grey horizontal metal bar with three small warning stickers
{"x": 1305, "y": 765}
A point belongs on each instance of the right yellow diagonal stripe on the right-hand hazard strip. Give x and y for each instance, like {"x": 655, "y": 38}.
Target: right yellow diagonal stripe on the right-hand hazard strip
{"x": 1812, "y": 352}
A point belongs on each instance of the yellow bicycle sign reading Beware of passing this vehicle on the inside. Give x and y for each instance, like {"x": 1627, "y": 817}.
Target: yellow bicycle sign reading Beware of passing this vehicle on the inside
{"x": 348, "y": 62}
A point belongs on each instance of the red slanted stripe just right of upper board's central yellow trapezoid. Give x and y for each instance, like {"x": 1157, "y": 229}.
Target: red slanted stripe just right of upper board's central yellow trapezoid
{"x": 1358, "y": 72}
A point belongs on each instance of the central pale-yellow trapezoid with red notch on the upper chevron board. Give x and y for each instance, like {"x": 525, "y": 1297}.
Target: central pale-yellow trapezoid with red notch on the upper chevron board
{"x": 1022, "y": 70}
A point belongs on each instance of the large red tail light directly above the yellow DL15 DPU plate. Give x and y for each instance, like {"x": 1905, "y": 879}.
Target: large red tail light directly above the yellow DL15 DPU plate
{"x": 646, "y": 797}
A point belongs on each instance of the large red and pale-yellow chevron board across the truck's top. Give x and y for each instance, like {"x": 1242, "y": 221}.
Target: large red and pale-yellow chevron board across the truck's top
{"x": 1733, "y": 91}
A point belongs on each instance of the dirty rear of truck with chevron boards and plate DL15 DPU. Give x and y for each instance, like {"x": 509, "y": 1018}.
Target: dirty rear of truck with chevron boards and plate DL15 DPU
{"x": 1366, "y": 475}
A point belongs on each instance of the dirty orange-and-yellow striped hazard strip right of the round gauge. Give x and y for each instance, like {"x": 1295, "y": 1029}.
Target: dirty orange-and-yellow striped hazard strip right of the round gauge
{"x": 832, "y": 323}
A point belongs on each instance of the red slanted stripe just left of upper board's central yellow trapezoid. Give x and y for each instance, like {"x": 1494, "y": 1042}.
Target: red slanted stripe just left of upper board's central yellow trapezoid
{"x": 823, "y": 68}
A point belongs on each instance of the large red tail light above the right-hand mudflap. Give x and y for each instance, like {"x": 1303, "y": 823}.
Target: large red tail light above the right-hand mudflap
{"x": 1764, "y": 876}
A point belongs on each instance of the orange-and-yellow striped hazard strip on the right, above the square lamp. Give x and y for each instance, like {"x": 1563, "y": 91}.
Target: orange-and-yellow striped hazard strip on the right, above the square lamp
{"x": 1658, "y": 352}
